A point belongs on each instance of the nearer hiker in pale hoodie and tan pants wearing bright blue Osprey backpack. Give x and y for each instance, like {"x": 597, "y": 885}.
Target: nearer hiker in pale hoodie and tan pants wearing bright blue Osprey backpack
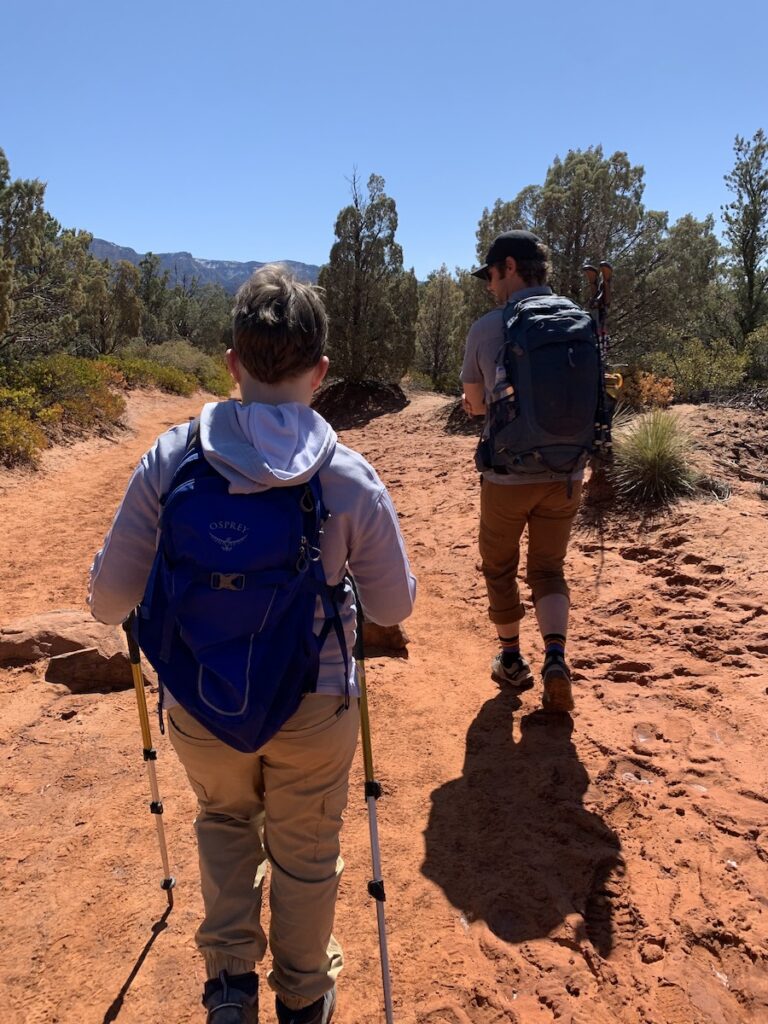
{"x": 235, "y": 538}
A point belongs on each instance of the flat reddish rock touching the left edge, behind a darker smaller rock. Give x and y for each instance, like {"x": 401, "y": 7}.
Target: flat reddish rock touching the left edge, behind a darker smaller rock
{"x": 55, "y": 633}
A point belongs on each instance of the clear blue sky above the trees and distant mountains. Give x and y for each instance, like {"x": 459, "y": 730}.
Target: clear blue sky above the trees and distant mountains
{"x": 231, "y": 130}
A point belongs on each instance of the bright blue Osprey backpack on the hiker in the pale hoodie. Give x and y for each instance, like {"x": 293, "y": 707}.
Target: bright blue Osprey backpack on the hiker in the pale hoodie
{"x": 228, "y": 615}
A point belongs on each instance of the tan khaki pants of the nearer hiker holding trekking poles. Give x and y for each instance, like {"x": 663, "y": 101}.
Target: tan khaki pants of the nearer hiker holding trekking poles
{"x": 284, "y": 803}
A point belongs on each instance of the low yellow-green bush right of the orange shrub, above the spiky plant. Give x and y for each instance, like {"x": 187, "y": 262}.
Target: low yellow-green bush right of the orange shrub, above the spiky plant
{"x": 699, "y": 369}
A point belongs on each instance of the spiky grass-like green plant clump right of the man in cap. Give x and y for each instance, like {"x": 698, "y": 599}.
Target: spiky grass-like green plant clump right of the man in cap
{"x": 652, "y": 460}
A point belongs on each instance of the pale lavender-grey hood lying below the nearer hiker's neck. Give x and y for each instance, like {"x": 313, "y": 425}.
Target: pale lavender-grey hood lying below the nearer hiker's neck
{"x": 257, "y": 447}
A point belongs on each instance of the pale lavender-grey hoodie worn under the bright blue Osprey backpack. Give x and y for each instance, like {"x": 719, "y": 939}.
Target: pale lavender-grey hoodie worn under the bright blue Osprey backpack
{"x": 257, "y": 447}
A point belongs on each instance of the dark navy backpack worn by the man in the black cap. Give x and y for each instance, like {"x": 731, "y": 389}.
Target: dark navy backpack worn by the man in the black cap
{"x": 548, "y": 411}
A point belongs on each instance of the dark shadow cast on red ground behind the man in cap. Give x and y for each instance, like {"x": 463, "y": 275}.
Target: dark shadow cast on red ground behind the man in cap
{"x": 510, "y": 843}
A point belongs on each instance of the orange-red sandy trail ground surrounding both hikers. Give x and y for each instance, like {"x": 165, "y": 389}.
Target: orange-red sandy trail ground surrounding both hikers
{"x": 613, "y": 872}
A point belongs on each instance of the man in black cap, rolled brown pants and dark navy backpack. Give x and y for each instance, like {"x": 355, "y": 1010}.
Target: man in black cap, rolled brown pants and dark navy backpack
{"x": 532, "y": 367}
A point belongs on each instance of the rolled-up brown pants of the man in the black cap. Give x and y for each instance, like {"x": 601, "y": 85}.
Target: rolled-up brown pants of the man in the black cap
{"x": 505, "y": 513}
